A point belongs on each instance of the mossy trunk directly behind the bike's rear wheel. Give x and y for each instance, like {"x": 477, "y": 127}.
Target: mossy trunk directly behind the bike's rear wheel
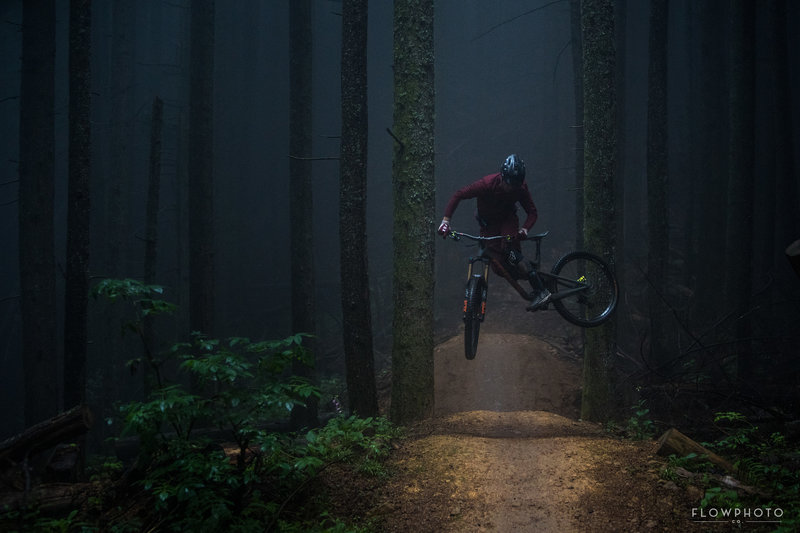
{"x": 599, "y": 228}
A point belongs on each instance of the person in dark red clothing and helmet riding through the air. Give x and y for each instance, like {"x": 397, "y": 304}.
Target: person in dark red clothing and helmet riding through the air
{"x": 497, "y": 198}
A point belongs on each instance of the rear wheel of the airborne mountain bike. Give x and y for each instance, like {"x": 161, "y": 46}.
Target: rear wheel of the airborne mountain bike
{"x": 593, "y": 305}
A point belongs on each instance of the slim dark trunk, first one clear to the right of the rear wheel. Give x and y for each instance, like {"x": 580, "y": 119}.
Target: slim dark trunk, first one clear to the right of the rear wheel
{"x": 657, "y": 172}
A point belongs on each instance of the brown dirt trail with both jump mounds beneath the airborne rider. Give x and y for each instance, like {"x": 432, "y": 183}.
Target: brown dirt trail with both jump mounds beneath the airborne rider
{"x": 507, "y": 452}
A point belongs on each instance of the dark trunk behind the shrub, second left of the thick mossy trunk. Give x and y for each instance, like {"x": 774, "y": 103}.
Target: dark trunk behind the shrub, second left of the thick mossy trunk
{"x": 300, "y": 190}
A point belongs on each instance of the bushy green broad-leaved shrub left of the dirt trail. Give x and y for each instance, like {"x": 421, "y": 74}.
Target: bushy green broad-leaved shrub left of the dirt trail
{"x": 194, "y": 484}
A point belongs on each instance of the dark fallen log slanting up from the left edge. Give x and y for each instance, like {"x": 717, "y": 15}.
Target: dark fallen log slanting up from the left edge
{"x": 44, "y": 435}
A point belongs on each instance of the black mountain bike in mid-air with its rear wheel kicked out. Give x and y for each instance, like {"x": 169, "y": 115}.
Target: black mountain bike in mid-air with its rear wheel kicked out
{"x": 583, "y": 287}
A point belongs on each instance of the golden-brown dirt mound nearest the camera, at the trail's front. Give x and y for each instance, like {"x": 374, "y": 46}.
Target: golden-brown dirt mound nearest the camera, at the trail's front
{"x": 525, "y": 472}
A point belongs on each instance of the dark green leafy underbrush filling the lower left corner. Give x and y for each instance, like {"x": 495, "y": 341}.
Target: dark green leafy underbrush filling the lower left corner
{"x": 207, "y": 459}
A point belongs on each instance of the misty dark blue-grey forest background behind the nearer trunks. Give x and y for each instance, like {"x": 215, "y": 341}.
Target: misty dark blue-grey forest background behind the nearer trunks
{"x": 505, "y": 82}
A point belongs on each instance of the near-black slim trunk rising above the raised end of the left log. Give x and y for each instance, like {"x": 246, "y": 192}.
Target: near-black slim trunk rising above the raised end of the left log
{"x": 76, "y": 289}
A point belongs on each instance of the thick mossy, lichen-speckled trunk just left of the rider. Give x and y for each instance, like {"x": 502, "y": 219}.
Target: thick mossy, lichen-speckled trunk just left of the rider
{"x": 414, "y": 204}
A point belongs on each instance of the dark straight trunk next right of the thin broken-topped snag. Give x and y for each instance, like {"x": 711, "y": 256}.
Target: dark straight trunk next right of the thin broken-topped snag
{"x": 201, "y": 167}
